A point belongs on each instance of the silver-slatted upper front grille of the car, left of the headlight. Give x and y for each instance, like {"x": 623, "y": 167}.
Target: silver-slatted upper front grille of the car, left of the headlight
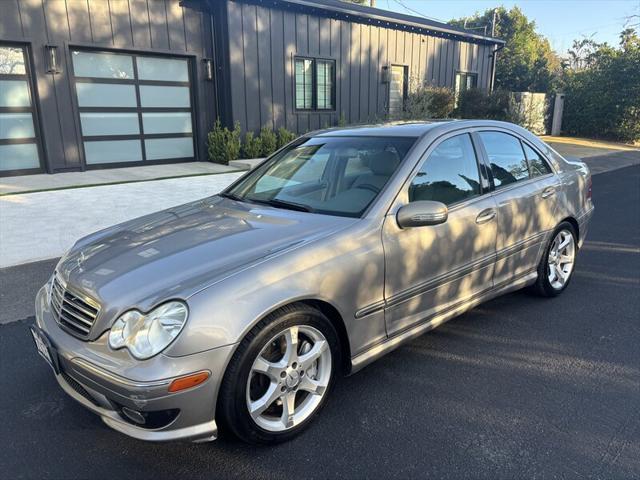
{"x": 73, "y": 312}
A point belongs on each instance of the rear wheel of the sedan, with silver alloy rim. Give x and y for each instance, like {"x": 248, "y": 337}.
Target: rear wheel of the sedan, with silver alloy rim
{"x": 556, "y": 265}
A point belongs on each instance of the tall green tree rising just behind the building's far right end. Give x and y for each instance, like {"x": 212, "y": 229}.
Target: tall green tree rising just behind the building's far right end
{"x": 526, "y": 63}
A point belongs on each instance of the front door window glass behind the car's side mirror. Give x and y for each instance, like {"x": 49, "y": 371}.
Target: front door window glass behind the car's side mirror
{"x": 449, "y": 175}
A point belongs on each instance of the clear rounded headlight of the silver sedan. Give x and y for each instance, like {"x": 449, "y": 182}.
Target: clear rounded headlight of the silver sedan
{"x": 146, "y": 335}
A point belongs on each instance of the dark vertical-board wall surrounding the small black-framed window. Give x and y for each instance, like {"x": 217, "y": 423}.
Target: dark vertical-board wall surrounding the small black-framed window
{"x": 263, "y": 42}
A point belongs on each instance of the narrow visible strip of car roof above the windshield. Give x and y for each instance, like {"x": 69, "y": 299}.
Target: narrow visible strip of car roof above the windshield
{"x": 390, "y": 129}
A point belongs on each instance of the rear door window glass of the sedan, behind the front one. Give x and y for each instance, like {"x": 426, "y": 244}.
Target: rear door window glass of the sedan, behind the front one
{"x": 508, "y": 163}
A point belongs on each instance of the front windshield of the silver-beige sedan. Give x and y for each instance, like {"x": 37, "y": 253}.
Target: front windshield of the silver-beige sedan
{"x": 330, "y": 175}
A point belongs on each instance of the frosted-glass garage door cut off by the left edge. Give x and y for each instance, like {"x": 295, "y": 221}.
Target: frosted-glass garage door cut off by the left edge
{"x": 19, "y": 148}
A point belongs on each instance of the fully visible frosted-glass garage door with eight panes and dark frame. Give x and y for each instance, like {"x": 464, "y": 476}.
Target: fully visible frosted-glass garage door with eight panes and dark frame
{"x": 133, "y": 108}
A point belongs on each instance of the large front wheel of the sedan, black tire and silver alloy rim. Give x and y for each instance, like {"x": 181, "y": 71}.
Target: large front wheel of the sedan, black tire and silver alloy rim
{"x": 280, "y": 376}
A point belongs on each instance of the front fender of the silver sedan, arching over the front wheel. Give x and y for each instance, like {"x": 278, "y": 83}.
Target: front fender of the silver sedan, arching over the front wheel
{"x": 345, "y": 270}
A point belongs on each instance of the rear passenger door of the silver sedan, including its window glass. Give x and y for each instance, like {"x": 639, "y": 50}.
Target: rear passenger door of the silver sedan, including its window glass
{"x": 525, "y": 196}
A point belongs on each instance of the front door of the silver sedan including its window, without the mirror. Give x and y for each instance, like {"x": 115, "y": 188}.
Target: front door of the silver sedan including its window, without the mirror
{"x": 430, "y": 270}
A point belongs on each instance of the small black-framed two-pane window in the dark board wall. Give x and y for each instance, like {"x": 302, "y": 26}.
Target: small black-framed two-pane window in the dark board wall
{"x": 315, "y": 84}
